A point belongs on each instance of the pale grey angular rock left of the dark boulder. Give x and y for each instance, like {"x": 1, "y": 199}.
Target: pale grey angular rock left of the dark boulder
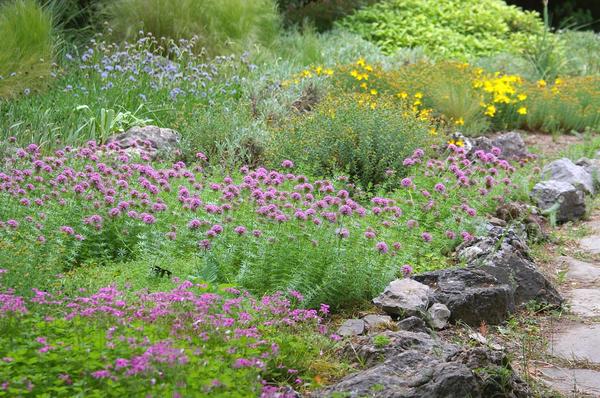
{"x": 404, "y": 297}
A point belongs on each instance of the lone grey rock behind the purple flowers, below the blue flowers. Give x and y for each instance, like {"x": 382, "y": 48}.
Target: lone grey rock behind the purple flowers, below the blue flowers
{"x": 147, "y": 140}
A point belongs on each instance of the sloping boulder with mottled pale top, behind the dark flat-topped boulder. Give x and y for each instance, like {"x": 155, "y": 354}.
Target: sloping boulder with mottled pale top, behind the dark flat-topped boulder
{"x": 503, "y": 253}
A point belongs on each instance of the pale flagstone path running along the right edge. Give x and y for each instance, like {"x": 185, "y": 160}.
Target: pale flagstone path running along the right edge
{"x": 575, "y": 345}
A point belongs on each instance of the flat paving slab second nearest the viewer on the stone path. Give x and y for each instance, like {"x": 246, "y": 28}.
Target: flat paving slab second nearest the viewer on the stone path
{"x": 579, "y": 342}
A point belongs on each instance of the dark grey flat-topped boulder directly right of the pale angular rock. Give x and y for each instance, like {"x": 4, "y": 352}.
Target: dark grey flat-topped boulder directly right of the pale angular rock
{"x": 471, "y": 294}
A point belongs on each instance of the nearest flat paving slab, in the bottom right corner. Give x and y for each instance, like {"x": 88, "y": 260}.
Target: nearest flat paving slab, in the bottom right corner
{"x": 573, "y": 381}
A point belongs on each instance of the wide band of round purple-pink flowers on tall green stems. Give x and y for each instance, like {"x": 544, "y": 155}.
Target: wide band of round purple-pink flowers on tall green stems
{"x": 261, "y": 229}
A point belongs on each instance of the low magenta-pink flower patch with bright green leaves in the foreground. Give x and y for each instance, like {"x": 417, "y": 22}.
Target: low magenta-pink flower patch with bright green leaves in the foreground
{"x": 190, "y": 341}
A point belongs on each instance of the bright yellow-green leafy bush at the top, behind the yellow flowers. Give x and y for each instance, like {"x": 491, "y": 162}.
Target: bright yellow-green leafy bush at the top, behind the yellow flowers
{"x": 447, "y": 28}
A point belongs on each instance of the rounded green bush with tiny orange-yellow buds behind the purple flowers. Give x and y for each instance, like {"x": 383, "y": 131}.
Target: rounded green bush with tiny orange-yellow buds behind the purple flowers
{"x": 363, "y": 140}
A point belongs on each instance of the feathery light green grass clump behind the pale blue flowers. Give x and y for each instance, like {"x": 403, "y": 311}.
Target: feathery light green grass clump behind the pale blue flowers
{"x": 222, "y": 25}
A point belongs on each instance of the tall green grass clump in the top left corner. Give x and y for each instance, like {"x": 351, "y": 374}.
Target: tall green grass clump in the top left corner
{"x": 26, "y": 49}
